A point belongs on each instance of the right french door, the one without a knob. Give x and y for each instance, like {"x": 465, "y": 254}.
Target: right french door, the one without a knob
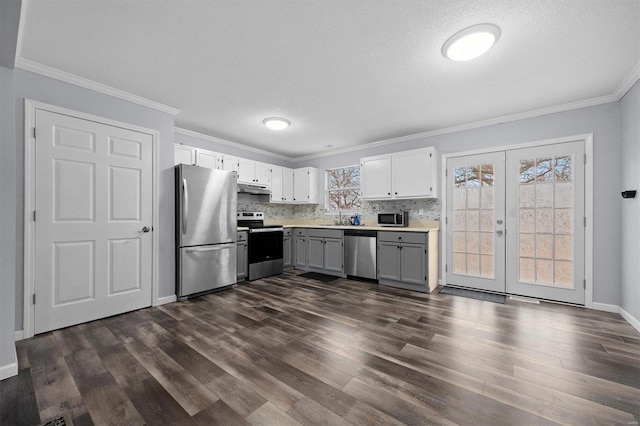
{"x": 545, "y": 206}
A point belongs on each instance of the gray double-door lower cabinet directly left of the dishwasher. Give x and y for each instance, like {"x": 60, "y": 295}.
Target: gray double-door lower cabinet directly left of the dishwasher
{"x": 324, "y": 251}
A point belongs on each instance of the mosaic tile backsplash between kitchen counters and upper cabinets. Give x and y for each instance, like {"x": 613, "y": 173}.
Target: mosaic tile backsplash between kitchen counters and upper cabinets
{"x": 249, "y": 202}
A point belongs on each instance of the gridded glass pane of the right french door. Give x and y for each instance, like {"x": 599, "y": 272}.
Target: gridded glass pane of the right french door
{"x": 546, "y": 216}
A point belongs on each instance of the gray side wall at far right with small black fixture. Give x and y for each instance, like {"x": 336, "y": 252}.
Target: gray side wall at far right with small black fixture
{"x": 630, "y": 135}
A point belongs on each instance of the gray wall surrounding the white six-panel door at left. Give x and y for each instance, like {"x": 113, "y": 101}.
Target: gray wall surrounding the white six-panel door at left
{"x": 39, "y": 88}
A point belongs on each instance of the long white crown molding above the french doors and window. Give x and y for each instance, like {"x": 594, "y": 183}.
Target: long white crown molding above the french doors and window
{"x": 469, "y": 126}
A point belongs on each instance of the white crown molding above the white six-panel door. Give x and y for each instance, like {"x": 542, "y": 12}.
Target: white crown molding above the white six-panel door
{"x": 47, "y": 71}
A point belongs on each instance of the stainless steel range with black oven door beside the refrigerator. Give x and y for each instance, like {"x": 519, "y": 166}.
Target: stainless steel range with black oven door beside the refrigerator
{"x": 265, "y": 245}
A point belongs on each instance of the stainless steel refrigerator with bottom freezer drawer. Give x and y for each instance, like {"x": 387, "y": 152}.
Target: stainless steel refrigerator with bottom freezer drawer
{"x": 206, "y": 204}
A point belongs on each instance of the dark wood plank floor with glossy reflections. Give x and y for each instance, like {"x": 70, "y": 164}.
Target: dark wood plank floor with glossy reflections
{"x": 288, "y": 350}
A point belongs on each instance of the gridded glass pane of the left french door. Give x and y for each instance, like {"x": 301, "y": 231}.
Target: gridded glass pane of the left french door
{"x": 473, "y": 215}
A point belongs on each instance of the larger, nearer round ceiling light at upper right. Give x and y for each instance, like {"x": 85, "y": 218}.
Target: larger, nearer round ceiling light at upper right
{"x": 471, "y": 42}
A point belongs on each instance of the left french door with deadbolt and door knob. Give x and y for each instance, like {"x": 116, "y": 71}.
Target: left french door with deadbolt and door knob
{"x": 475, "y": 221}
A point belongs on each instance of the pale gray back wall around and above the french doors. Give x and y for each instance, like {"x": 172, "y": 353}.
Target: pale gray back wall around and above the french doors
{"x": 602, "y": 120}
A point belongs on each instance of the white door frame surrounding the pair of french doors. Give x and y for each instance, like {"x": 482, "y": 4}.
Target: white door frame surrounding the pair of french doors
{"x": 587, "y": 138}
